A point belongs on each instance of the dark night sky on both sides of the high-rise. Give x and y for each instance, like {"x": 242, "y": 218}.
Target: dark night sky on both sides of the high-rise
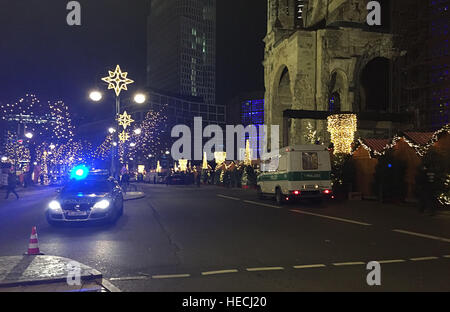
{"x": 41, "y": 54}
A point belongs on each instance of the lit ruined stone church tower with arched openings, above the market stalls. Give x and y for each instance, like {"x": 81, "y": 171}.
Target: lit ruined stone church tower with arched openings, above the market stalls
{"x": 323, "y": 51}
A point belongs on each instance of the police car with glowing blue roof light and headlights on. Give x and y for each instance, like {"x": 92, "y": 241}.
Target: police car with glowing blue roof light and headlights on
{"x": 89, "y": 195}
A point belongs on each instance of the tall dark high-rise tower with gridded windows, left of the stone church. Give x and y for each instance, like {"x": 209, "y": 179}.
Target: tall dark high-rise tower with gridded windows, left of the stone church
{"x": 181, "y": 51}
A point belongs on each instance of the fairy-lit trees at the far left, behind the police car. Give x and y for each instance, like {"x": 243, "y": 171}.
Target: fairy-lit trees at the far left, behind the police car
{"x": 51, "y": 135}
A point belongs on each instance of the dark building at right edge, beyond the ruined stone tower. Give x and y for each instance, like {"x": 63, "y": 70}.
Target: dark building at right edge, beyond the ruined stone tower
{"x": 423, "y": 34}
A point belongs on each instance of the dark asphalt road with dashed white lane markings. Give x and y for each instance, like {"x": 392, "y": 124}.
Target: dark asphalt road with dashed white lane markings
{"x": 181, "y": 238}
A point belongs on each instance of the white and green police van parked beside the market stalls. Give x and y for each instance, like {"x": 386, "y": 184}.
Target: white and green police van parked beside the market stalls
{"x": 296, "y": 172}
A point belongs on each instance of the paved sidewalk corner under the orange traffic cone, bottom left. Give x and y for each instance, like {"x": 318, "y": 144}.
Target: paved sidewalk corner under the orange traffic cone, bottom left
{"x": 45, "y": 273}
